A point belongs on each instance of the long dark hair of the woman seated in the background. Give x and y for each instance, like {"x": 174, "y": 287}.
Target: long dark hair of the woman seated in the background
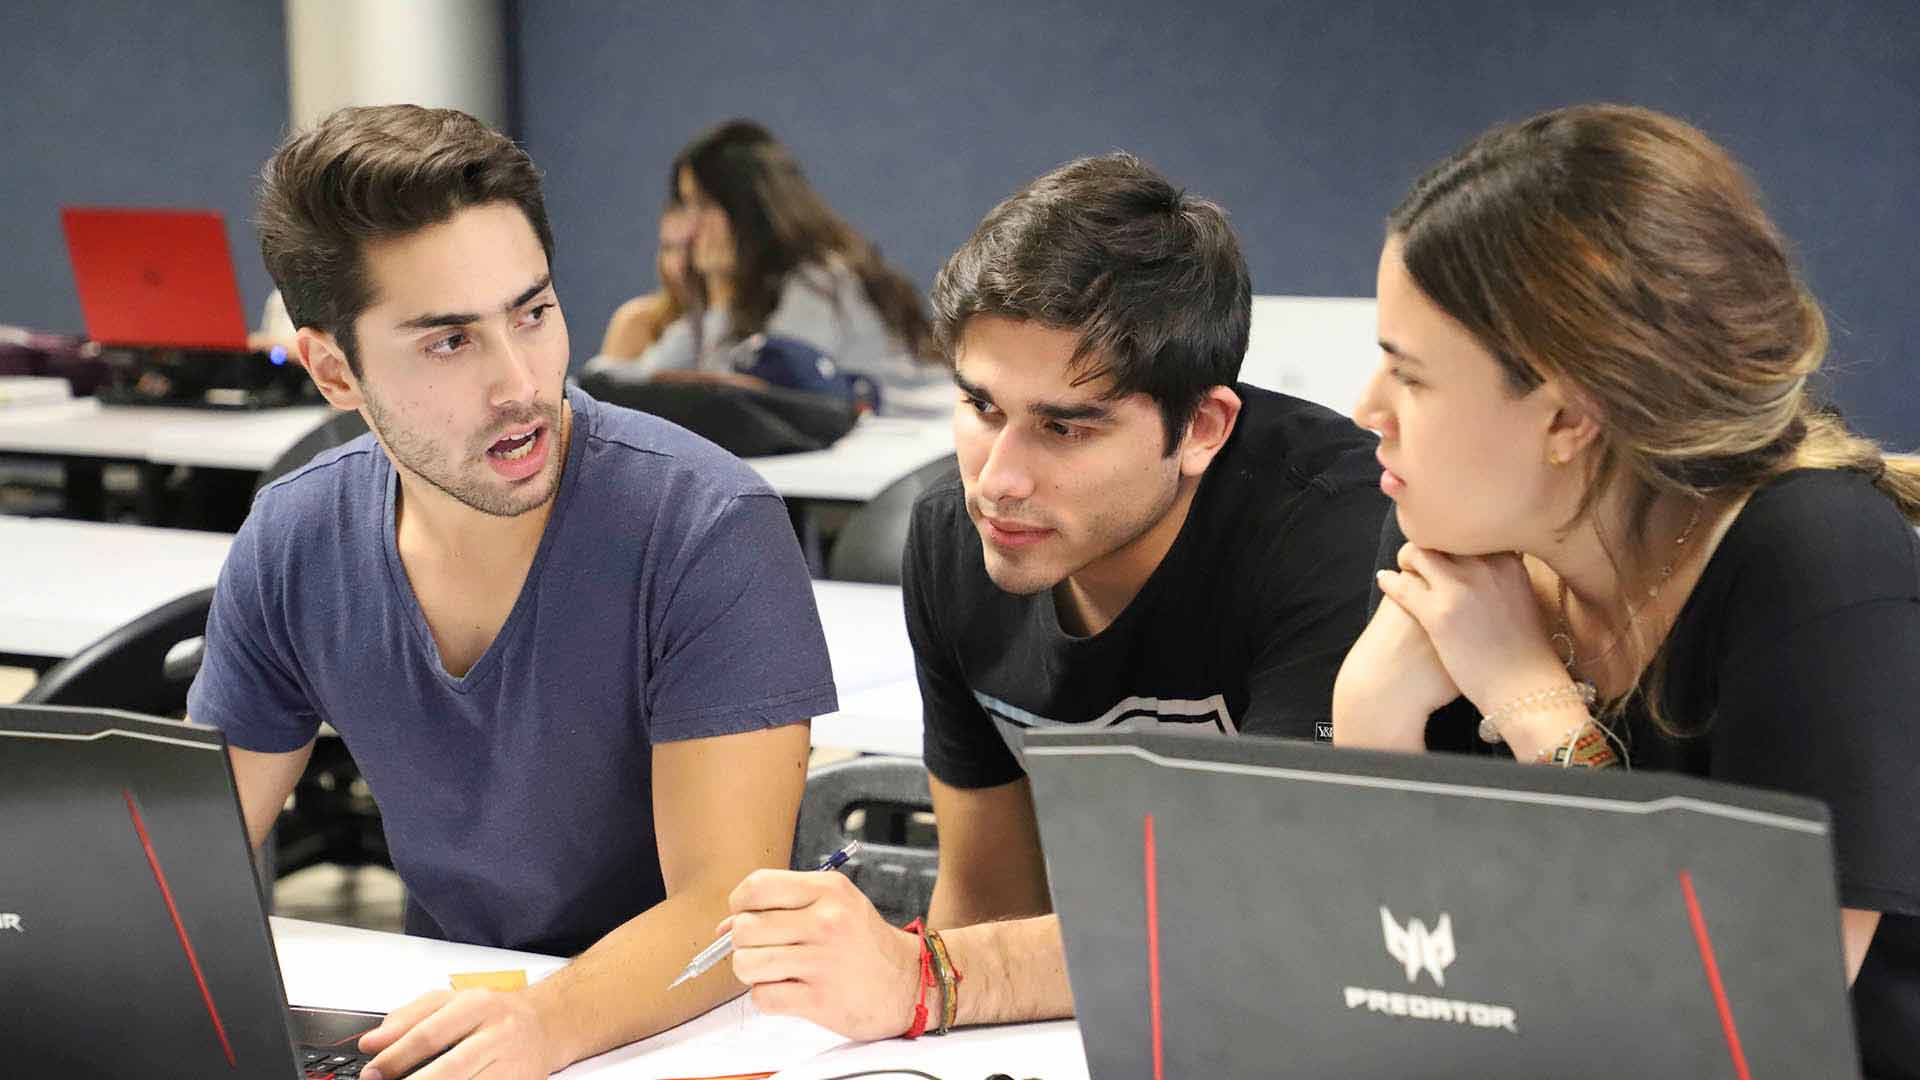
{"x": 780, "y": 224}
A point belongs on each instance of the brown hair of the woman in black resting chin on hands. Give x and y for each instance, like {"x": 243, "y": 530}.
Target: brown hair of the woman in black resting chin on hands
{"x": 1627, "y": 257}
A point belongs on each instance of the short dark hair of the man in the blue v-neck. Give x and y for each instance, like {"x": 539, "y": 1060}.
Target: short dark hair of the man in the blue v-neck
{"x": 377, "y": 174}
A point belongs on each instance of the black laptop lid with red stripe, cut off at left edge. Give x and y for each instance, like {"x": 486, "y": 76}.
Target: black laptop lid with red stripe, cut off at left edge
{"x": 132, "y": 931}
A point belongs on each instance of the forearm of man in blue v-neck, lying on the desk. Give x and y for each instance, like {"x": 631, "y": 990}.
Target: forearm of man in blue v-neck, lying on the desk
{"x": 617, "y": 991}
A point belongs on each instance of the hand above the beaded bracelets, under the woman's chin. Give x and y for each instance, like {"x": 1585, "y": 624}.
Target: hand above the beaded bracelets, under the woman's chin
{"x": 1483, "y": 620}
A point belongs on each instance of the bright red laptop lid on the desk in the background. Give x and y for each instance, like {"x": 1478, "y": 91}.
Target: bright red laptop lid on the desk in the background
{"x": 155, "y": 278}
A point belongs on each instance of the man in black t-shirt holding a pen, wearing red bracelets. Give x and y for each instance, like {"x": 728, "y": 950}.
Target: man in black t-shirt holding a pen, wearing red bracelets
{"x": 1130, "y": 539}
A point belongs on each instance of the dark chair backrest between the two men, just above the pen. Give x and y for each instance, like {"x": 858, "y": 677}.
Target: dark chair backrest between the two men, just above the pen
{"x": 894, "y": 875}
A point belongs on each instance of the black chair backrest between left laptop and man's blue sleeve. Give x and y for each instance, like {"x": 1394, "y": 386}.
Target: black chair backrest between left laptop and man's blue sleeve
{"x": 130, "y": 668}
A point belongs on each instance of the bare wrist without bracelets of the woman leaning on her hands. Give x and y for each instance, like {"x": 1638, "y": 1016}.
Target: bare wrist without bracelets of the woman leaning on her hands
{"x": 1389, "y": 683}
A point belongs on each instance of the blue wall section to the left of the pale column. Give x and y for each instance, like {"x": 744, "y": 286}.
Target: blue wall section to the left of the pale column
{"x": 128, "y": 103}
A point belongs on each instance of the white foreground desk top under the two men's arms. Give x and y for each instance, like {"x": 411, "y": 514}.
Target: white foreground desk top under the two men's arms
{"x": 341, "y": 968}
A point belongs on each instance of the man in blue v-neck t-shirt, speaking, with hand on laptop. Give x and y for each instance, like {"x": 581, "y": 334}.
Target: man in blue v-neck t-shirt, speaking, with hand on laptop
{"x": 571, "y": 647}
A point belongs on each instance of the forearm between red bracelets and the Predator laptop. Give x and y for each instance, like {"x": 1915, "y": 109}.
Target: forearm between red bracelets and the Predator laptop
{"x": 1013, "y": 971}
